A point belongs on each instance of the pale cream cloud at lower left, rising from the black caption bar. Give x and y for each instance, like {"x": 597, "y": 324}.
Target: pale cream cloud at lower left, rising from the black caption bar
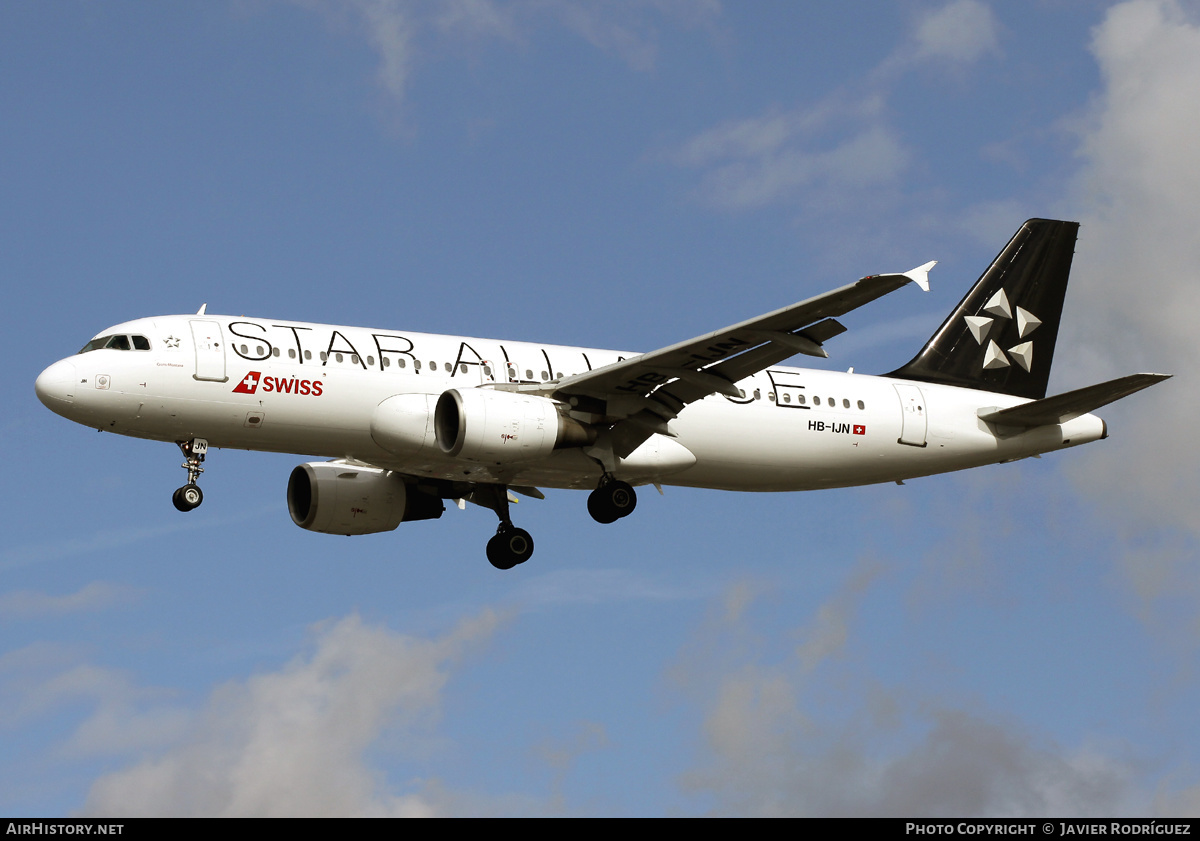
{"x": 292, "y": 742}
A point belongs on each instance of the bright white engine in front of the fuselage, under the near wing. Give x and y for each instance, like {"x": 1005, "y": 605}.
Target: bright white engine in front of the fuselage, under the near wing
{"x": 502, "y": 428}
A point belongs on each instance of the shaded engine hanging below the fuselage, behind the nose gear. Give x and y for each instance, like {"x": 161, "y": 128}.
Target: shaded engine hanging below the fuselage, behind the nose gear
{"x": 335, "y": 498}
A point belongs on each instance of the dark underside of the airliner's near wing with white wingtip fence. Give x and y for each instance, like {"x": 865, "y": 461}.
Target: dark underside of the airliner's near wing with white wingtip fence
{"x": 653, "y": 388}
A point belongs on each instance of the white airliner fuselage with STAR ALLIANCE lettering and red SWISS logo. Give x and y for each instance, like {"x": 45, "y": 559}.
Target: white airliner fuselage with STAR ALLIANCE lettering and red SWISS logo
{"x": 314, "y": 389}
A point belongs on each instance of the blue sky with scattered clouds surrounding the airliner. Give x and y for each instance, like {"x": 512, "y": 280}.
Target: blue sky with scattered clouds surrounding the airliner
{"x": 1018, "y": 640}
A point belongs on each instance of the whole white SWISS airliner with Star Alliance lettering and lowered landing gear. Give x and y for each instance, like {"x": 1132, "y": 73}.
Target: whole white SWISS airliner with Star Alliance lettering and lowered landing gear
{"x": 411, "y": 420}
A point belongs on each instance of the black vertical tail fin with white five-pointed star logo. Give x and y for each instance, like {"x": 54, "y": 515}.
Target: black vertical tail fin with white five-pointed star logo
{"x": 1001, "y": 337}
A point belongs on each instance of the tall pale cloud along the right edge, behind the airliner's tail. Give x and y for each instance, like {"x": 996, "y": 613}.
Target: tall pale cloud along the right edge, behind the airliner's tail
{"x": 1137, "y": 289}
